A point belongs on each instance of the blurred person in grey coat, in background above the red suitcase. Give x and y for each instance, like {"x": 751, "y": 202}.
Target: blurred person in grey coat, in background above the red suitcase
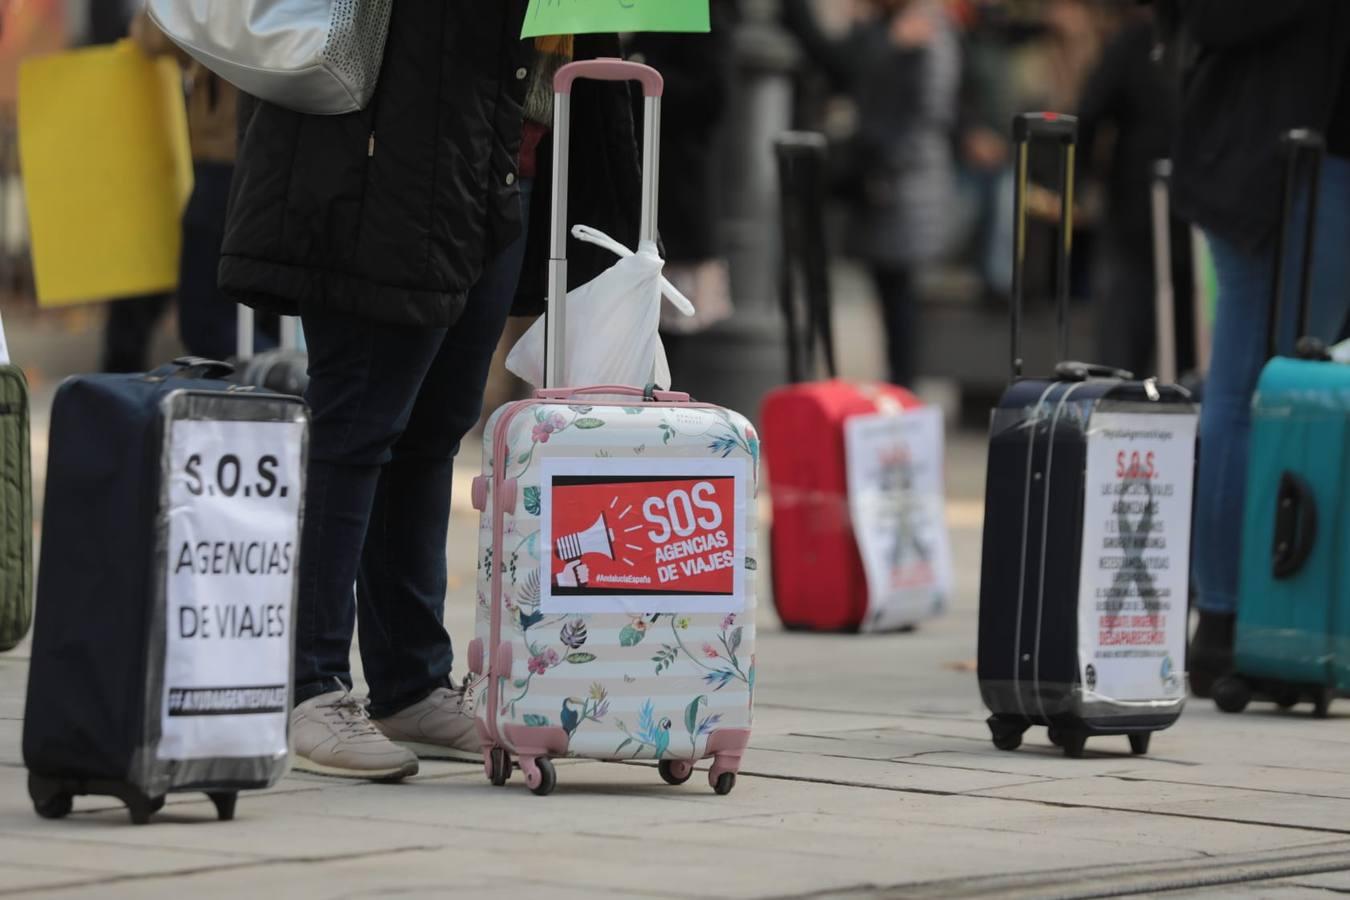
{"x": 902, "y": 65}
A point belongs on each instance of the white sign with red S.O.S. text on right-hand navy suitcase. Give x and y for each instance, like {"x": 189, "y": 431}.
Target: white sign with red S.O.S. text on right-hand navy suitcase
{"x": 1136, "y": 574}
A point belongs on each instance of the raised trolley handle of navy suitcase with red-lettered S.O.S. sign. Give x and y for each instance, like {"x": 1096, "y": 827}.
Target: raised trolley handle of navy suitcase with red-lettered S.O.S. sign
{"x": 1064, "y": 132}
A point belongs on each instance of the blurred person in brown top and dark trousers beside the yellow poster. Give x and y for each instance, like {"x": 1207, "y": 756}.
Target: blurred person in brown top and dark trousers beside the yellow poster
{"x": 207, "y": 320}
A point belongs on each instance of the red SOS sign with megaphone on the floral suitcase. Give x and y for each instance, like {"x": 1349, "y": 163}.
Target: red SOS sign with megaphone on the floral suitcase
{"x": 643, "y": 536}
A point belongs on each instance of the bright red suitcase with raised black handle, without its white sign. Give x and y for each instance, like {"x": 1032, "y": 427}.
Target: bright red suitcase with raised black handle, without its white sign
{"x": 820, "y": 582}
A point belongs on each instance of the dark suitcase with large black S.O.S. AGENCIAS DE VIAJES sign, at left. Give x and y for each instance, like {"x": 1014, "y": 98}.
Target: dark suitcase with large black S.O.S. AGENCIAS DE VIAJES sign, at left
{"x": 163, "y": 643}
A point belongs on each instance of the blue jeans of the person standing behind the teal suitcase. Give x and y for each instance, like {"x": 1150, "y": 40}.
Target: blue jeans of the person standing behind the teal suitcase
{"x": 1241, "y": 337}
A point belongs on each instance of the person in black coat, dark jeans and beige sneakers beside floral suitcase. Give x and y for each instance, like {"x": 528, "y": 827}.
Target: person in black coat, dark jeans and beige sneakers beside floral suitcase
{"x": 399, "y": 235}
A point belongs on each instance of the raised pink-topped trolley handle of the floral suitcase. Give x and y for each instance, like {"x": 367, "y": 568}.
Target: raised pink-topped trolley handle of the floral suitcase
{"x": 556, "y": 319}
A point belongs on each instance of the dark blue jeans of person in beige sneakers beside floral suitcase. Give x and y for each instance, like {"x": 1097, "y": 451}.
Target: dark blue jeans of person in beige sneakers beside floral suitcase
{"x": 389, "y": 405}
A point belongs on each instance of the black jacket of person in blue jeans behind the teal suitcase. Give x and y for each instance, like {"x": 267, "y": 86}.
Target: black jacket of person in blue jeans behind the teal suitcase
{"x": 1253, "y": 71}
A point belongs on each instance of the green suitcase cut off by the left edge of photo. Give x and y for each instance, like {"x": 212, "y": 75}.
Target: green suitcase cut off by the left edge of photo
{"x": 16, "y": 508}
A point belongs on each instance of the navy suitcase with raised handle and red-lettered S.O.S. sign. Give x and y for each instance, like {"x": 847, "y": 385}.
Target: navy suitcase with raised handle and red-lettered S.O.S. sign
{"x": 1086, "y": 561}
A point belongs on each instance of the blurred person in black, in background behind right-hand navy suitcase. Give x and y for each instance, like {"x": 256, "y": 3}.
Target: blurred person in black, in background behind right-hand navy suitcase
{"x": 1129, "y": 94}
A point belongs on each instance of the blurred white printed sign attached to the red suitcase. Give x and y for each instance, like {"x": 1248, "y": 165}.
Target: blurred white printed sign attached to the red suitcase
{"x": 896, "y": 495}
